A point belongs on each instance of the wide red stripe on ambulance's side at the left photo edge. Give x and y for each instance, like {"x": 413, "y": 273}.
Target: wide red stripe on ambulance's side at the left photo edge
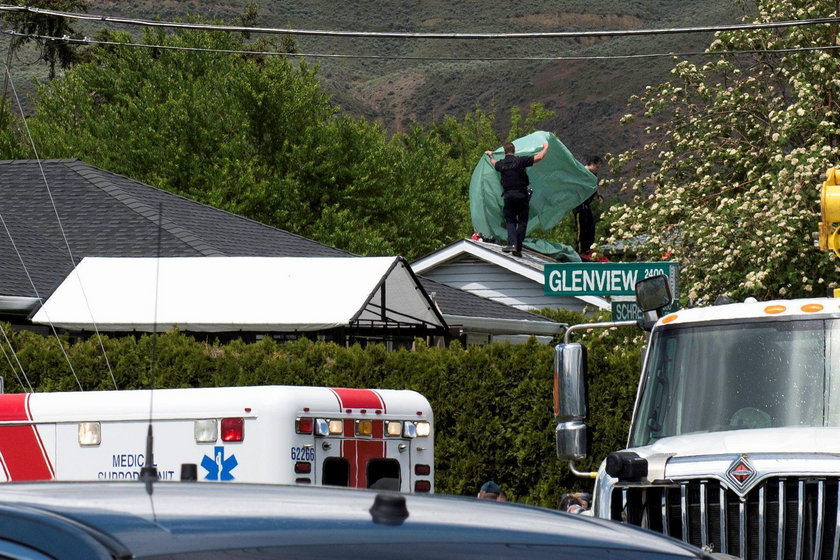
{"x": 22, "y": 452}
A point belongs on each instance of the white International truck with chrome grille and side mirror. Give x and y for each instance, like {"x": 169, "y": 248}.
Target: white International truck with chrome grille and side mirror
{"x": 734, "y": 444}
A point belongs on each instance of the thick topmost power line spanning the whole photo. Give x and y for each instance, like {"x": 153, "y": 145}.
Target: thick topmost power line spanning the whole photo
{"x": 406, "y": 35}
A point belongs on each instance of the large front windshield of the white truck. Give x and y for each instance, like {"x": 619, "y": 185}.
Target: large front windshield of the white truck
{"x": 736, "y": 376}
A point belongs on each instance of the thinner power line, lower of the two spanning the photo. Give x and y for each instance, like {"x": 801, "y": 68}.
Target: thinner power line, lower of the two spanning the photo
{"x": 89, "y": 41}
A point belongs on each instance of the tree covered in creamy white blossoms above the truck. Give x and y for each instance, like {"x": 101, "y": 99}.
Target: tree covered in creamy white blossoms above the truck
{"x": 728, "y": 181}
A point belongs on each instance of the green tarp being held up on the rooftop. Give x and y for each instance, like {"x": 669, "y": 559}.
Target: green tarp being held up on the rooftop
{"x": 559, "y": 181}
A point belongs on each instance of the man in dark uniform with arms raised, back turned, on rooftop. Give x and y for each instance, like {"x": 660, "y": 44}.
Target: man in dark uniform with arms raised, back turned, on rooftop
{"x": 515, "y": 193}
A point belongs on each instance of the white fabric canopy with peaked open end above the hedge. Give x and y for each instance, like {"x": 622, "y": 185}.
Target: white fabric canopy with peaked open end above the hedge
{"x": 223, "y": 294}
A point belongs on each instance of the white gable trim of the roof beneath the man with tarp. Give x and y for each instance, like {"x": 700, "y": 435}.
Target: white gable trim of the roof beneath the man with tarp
{"x": 530, "y": 265}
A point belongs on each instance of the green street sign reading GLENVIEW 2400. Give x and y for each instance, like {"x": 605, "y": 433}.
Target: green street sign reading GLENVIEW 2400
{"x": 604, "y": 279}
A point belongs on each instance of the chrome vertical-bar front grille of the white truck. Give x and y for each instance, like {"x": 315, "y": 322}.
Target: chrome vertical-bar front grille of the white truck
{"x": 781, "y": 518}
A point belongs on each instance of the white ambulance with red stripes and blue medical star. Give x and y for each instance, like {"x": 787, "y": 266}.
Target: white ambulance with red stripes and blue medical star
{"x": 268, "y": 434}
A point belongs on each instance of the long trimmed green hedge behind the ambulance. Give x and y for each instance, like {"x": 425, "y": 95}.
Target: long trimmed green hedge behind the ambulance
{"x": 492, "y": 404}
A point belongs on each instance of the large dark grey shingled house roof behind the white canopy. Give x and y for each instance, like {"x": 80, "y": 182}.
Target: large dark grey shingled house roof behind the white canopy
{"x": 107, "y": 215}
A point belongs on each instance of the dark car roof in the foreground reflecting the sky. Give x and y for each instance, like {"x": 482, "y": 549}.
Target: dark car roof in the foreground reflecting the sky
{"x": 194, "y": 520}
